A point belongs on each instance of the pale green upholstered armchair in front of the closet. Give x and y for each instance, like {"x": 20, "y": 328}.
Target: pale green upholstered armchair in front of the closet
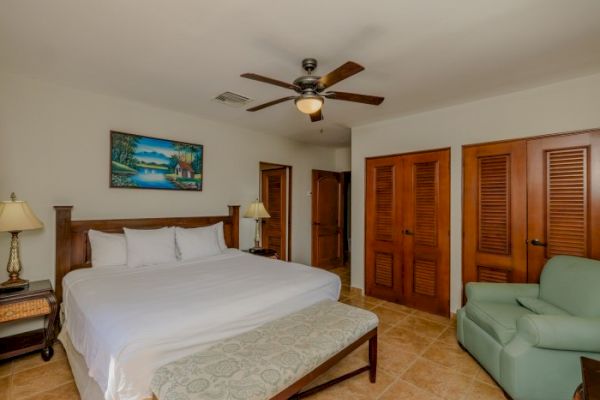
{"x": 530, "y": 337}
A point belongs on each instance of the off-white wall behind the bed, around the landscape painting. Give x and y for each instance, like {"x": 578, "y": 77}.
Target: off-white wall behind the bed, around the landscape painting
{"x": 54, "y": 150}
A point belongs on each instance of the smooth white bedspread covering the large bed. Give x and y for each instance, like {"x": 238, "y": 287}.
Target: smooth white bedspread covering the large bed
{"x": 127, "y": 322}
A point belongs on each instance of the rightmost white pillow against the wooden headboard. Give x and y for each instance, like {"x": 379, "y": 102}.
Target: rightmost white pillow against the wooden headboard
{"x": 197, "y": 242}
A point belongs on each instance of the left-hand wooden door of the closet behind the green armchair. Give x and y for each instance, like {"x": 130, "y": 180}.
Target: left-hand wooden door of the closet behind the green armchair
{"x": 495, "y": 212}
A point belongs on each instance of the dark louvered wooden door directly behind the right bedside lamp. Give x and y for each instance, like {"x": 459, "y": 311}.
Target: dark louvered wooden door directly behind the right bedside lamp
{"x": 274, "y": 197}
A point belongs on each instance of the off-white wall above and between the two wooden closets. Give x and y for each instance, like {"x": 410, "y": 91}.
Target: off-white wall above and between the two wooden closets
{"x": 566, "y": 106}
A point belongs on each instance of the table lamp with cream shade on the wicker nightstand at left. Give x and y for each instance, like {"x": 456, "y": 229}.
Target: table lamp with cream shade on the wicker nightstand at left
{"x": 16, "y": 216}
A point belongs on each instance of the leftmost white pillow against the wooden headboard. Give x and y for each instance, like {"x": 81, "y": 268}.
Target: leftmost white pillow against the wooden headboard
{"x": 108, "y": 249}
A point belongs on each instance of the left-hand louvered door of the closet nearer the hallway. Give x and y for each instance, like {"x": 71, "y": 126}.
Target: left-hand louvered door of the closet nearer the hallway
{"x": 383, "y": 229}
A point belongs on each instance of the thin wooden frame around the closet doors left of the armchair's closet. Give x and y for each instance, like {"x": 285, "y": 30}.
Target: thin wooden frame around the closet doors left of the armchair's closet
{"x": 449, "y": 266}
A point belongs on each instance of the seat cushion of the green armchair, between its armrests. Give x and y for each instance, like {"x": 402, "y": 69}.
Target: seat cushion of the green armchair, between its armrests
{"x": 499, "y": 320}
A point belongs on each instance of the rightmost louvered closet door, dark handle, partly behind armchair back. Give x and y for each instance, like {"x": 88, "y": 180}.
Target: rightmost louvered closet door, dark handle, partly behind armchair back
{"x": 563, "y": 198}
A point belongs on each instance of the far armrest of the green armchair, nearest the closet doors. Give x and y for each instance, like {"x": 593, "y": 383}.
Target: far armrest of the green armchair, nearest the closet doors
{"x": 501, "y": 292}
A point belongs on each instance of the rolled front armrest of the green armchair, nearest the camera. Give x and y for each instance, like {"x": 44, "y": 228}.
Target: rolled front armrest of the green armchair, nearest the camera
{"x": 561, "y": 332}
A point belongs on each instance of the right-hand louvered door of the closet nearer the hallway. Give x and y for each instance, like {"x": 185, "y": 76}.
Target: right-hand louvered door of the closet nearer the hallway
{"x": 427, "y": 231}
